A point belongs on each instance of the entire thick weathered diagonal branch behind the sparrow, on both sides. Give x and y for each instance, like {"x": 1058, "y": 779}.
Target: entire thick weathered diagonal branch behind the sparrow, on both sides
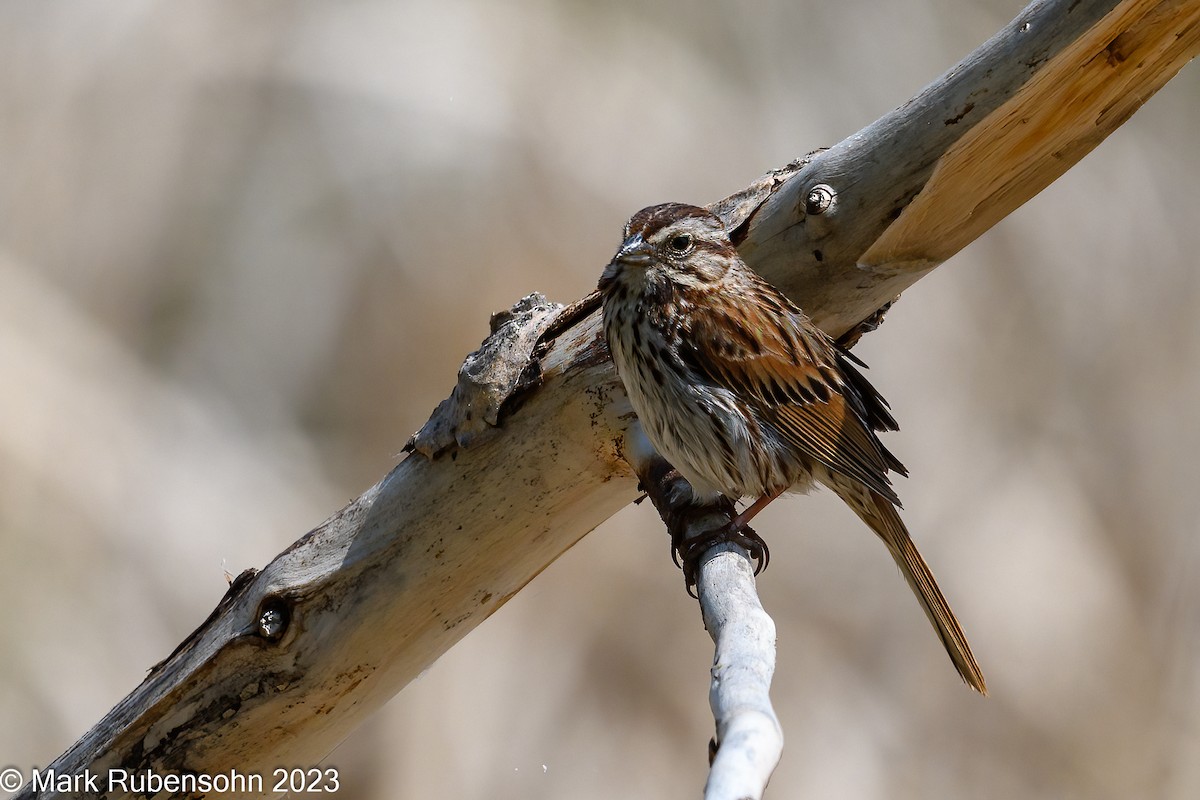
{"x": 527, "y": 459}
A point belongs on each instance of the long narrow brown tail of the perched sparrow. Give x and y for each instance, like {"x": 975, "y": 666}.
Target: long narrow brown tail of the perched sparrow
{"x": 879, "y": 513}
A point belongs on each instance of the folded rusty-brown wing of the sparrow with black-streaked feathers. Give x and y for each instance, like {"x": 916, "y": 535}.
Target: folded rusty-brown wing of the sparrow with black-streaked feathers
{"x": 799, "y": 381}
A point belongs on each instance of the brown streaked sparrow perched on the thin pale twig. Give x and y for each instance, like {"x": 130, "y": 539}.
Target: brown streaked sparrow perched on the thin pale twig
{"x": 745, "y": 396}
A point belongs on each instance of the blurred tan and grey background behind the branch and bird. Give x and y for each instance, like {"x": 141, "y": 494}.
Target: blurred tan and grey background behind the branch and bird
{"x": 244, "y": 249}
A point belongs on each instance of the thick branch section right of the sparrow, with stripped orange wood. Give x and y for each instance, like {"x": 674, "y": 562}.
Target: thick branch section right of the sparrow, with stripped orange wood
{"x": 925, "y": 182}
